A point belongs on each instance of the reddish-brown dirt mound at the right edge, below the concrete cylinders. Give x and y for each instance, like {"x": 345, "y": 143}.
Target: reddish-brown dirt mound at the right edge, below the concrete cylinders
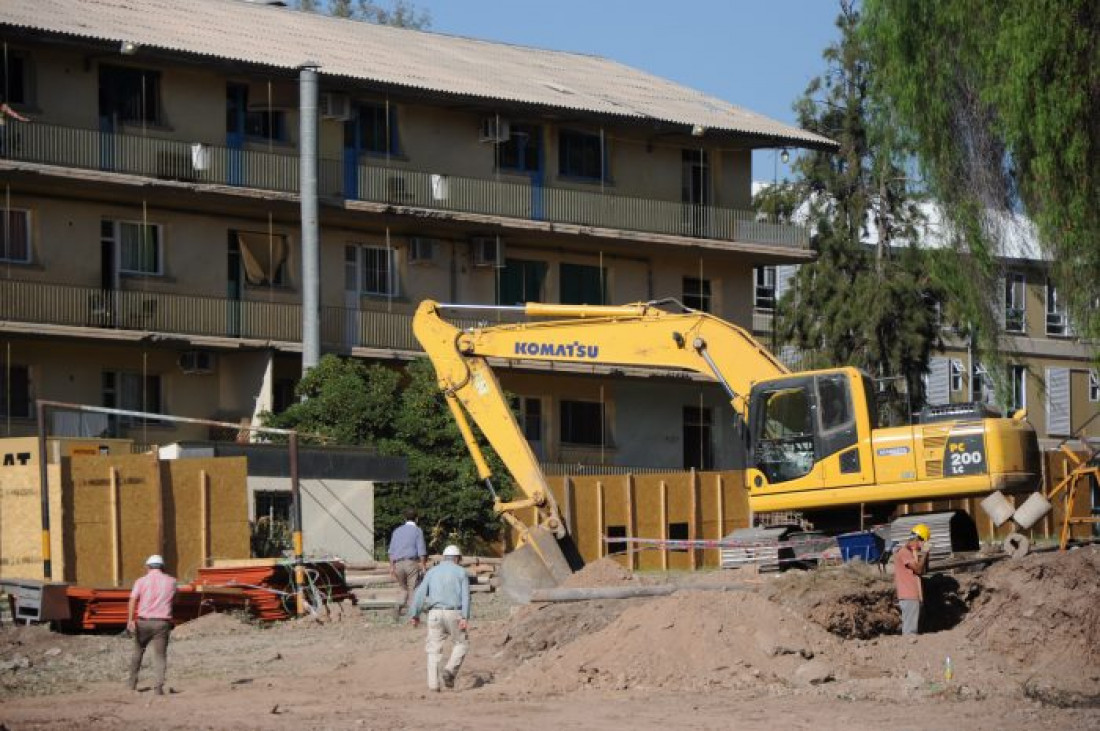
{"x": 1044, "y": 611}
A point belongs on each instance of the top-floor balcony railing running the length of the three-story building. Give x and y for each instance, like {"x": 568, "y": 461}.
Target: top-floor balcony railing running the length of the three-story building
{"x": 171, "y": 160}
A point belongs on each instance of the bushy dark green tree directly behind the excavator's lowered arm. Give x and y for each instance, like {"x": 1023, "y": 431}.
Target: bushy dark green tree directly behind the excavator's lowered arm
{"x": 402, "y": 414}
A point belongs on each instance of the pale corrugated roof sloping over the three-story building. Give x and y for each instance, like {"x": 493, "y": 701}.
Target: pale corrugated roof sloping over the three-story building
{"x": 287, "y": 39}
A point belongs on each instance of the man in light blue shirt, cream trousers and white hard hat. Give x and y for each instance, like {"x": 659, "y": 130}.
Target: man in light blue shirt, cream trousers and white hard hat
{"x": 445, "y": 593}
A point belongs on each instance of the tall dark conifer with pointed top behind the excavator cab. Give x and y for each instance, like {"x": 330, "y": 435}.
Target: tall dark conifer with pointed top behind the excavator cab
{"x": 857, "y": 305}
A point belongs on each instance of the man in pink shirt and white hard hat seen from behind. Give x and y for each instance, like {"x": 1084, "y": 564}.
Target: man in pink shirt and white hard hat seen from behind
{"x": 149, "y": 621}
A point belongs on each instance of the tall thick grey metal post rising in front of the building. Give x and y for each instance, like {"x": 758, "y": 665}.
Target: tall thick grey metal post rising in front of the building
{"x": 311, "y": 247}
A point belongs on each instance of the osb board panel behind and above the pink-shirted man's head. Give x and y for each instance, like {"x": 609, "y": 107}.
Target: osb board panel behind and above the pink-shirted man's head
{"x": 104, "y": 531}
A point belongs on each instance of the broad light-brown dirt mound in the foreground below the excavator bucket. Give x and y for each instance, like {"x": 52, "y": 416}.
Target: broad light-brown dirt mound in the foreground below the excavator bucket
{"x": 687, "y": 641}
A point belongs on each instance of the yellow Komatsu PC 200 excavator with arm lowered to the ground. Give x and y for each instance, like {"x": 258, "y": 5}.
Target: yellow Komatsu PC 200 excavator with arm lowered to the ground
{"x": 811, "y": 438}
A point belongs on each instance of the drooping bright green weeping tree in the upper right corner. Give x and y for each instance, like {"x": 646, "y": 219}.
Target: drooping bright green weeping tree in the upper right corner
{"x": 1002, "y": 103}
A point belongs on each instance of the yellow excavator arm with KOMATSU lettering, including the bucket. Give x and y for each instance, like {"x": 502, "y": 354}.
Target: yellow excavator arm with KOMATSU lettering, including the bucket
{"x": 641, "y": 335}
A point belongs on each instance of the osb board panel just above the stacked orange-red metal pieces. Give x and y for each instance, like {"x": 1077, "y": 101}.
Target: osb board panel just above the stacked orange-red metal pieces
{"x": 227, "y": 515}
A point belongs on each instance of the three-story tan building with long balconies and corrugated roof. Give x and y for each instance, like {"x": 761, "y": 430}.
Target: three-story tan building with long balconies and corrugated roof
{"x": 152, "y": 248}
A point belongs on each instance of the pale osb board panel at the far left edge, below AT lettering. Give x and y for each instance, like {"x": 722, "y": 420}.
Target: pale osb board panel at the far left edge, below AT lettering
{"x": 21, "y": 523}
